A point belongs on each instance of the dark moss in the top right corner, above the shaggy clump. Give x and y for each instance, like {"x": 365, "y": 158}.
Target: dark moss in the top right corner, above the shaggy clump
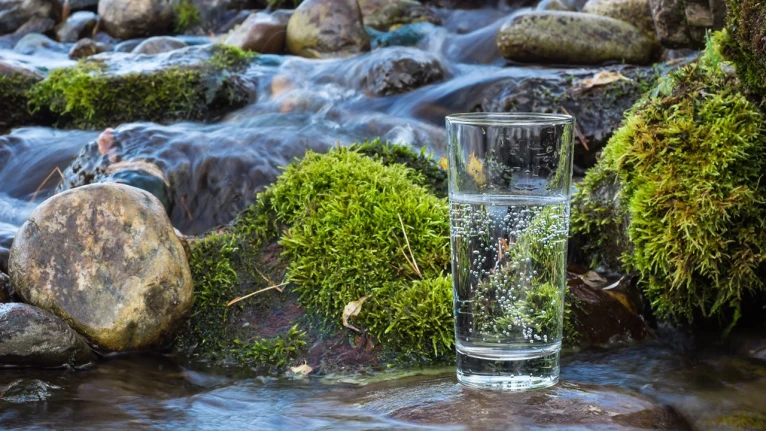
{"x": 744, "y": 42}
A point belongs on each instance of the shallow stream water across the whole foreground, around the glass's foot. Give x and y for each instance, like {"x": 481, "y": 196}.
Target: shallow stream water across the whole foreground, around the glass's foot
{"x": 628, "y": 388}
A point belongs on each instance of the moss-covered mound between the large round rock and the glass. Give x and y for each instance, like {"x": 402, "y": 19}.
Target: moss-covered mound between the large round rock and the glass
{"x": 330, "y": 227}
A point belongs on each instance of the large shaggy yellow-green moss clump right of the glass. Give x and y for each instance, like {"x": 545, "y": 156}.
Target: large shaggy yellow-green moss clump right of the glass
{"x": 689, "y": 158}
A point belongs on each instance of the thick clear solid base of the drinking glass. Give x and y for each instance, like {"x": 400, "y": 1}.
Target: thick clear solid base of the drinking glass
{"x": 516, "y": 375}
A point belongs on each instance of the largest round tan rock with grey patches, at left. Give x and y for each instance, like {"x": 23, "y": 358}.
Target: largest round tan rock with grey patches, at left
{"x": 106, "y": 259}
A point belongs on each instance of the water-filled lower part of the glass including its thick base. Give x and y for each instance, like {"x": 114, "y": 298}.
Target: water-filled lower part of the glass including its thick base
{"x": 509, "y": 262}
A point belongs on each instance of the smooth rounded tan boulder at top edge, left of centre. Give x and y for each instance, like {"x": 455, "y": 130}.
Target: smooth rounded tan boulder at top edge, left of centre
{"x": 327, "y": 29}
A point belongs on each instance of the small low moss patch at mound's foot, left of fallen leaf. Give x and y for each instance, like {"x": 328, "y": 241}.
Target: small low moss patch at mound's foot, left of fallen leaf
{"x": 273, "y": 355}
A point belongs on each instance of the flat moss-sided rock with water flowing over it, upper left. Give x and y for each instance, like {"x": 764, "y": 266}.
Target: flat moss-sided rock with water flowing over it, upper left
{"x": 195, "y": 83}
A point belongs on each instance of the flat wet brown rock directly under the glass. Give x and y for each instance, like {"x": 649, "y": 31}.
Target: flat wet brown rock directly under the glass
{"x": 440, "y": 401}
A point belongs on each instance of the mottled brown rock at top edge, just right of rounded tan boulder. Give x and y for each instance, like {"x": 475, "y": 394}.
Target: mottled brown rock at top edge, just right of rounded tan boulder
{"x": 386, "y": 14}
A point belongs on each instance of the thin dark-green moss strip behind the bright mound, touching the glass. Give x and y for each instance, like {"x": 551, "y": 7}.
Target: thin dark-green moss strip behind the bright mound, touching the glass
{"x": 423, "y": 163}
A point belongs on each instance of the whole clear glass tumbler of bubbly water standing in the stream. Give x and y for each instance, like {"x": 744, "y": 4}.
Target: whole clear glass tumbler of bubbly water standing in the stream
{"x": 510, "y": 176}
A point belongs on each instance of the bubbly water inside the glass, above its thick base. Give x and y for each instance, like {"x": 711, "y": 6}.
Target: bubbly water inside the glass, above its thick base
{"x": 509, "y": 268}
